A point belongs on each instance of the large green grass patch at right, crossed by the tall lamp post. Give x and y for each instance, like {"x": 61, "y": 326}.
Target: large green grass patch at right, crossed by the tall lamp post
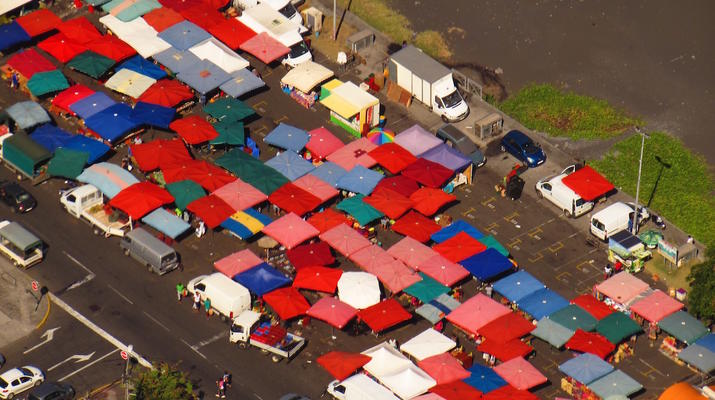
{"x": 684, "y": 191}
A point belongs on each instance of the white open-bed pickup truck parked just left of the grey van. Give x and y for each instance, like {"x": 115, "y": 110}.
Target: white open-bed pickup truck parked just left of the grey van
{"x": 86, "y": 203}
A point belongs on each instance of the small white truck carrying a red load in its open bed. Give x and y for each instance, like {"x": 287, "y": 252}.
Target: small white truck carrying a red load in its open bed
{"x": 248, "y": 328}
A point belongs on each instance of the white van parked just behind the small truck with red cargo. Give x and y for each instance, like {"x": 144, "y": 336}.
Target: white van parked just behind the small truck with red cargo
{"x": 228, "y": 298}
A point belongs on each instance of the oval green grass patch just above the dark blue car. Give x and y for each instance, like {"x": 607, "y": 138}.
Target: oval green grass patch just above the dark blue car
{"x": 547, "y": 109}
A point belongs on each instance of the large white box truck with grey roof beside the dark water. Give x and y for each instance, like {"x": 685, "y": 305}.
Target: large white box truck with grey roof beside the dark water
{"x": 429, "y": 82}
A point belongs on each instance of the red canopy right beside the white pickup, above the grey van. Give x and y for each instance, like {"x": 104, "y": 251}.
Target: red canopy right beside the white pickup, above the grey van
{"x": 141, "y": 198}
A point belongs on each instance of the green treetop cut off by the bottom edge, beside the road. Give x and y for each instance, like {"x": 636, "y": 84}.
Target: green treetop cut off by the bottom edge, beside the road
{"x": 164, "y": 382}
